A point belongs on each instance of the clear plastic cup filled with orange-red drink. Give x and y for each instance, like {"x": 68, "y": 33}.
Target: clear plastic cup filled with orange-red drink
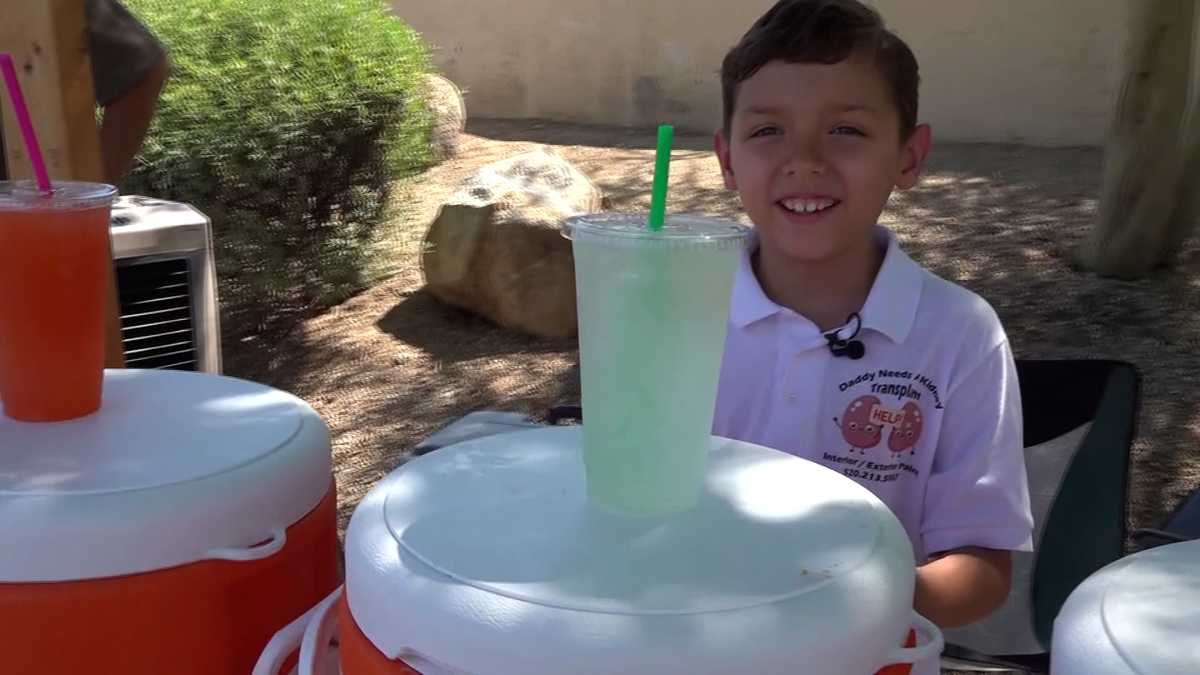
{"x": 55, "y": 261}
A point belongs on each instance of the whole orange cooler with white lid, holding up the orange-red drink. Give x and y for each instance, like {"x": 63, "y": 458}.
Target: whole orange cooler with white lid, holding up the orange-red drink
{"x": 172, "y": 533}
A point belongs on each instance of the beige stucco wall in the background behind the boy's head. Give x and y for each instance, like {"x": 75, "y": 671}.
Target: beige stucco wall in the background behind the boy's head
{"x": 1009, "y": 71}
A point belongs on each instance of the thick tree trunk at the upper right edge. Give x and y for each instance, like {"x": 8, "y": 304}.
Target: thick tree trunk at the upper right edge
{"x": 1149, "y": 202}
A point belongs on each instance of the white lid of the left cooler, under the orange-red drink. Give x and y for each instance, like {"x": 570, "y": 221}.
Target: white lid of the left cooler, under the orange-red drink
{"x": 176, "y": 468}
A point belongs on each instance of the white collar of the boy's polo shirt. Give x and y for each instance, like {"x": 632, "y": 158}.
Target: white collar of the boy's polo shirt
{"x": 891, "y": 306}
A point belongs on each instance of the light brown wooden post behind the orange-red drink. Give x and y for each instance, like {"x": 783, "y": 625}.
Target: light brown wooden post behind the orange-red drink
{"x": 49, "y": 41}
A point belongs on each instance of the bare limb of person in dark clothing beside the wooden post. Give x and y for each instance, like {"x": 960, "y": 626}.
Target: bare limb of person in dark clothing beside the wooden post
{"x": 127, "y": 121}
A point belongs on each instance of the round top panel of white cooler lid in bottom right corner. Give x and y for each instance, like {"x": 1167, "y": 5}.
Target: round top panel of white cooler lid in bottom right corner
{"x": 1151, "y": 611}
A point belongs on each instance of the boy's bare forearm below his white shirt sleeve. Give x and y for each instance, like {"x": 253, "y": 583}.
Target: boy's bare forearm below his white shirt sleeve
{"x": 963, "y": 587}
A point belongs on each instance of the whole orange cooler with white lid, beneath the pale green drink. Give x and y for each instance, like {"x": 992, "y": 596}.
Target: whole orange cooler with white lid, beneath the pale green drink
{"x": 487, "y": 558}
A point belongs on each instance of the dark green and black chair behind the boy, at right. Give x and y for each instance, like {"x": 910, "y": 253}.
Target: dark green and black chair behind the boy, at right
{"x": 1085, "y": 524}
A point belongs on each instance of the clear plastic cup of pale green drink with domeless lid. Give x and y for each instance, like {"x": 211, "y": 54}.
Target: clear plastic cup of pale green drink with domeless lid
{"x": 653, "y": 309}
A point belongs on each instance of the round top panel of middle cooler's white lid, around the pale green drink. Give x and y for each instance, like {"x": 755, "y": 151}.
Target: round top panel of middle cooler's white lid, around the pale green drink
{"x": 509, "y": 515}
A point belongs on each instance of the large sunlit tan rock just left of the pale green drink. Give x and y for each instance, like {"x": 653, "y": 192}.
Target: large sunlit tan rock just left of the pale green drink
{"x": 497, "y": 249}
